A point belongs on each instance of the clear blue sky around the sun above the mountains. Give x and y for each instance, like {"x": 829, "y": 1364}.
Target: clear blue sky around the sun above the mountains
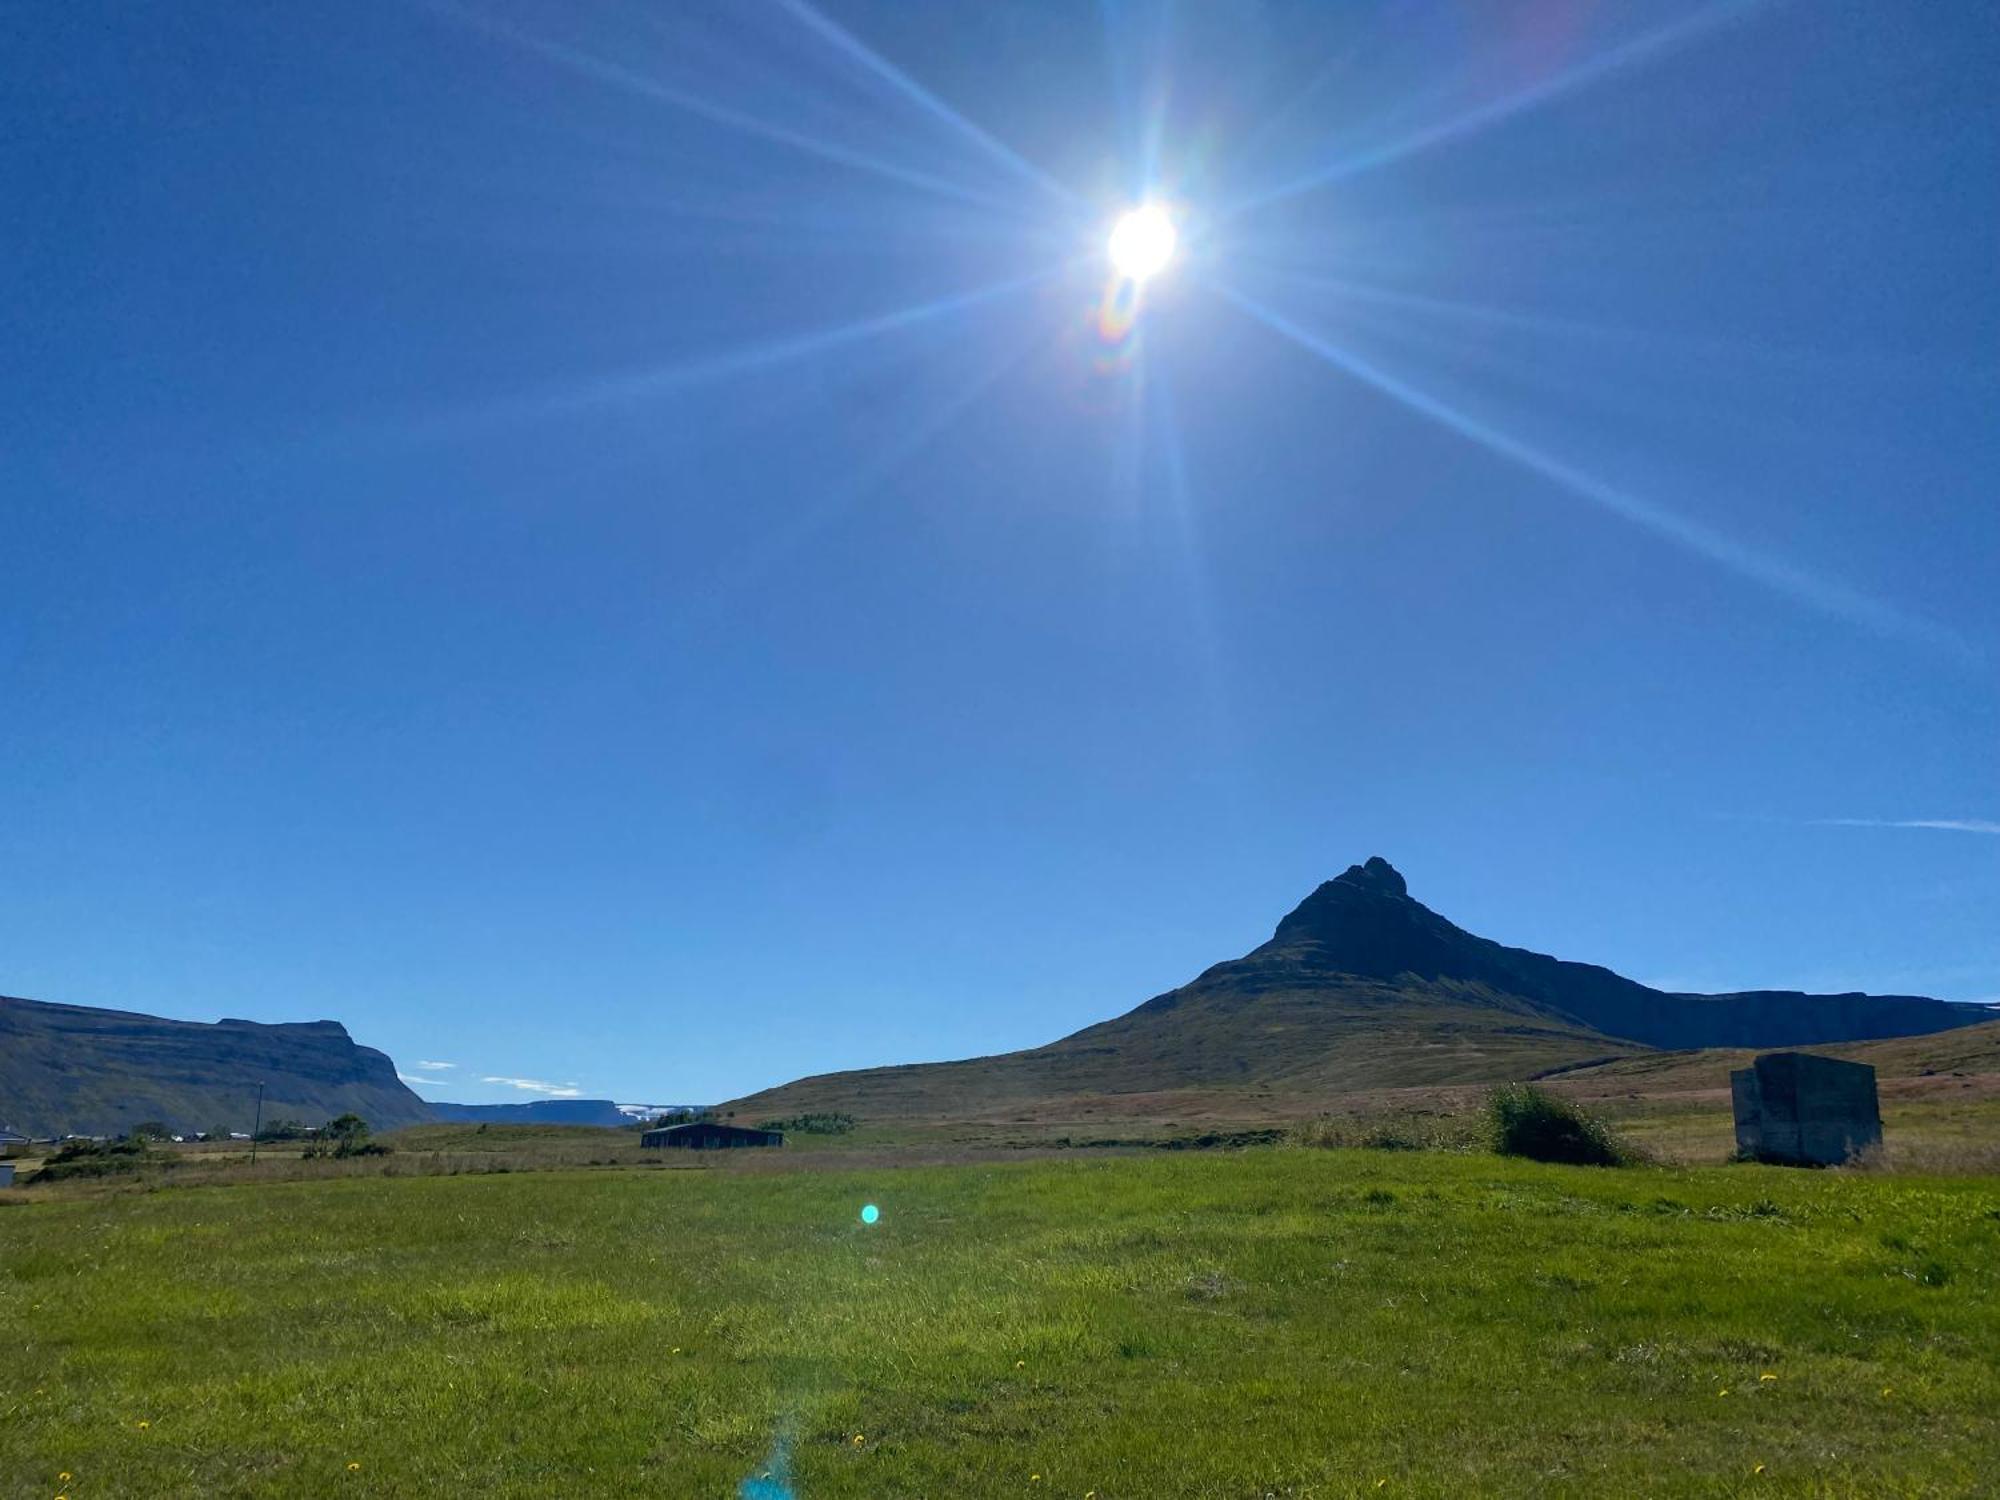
{"x": 605, "y": 545}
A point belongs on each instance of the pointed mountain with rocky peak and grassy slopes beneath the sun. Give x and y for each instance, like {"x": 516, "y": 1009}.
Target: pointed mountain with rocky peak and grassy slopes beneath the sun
{"x": 1359, "y": 989}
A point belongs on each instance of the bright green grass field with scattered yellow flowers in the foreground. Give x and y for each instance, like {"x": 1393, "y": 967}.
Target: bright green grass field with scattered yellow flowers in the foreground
{"x": 1225, "y": 1325}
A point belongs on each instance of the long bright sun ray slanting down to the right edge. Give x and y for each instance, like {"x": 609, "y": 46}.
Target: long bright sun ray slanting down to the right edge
{"x": 1787, "y": 579}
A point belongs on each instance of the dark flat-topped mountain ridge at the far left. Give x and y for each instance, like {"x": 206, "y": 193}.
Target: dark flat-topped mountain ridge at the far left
{"x": 75, "y": 1069}
